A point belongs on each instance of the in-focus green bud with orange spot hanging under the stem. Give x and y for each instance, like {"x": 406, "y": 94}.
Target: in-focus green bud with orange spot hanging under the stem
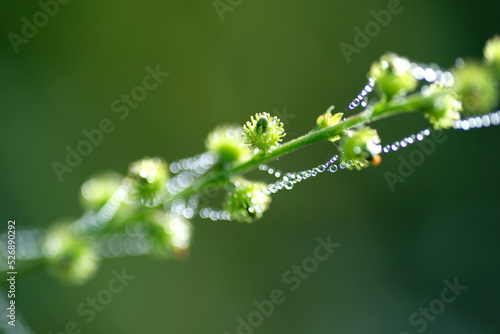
{"x": 360, "y": 146}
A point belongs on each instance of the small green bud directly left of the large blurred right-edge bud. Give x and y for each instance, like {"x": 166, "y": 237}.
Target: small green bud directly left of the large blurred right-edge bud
{"x": 445, "y": 108}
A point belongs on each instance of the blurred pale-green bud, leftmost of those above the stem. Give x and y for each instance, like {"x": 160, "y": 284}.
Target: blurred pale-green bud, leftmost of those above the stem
{"x": 98, "y": 190}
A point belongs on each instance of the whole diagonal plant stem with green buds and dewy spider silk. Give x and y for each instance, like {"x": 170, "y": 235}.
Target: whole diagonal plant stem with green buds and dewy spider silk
{"x": 143, "y": 199}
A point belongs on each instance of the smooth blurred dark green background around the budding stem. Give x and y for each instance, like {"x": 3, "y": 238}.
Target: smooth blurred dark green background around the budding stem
{"x": 397, "y": 247}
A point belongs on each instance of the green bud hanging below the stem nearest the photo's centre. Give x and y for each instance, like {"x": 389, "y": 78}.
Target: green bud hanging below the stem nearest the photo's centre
{"x": 246, "y": 201}
